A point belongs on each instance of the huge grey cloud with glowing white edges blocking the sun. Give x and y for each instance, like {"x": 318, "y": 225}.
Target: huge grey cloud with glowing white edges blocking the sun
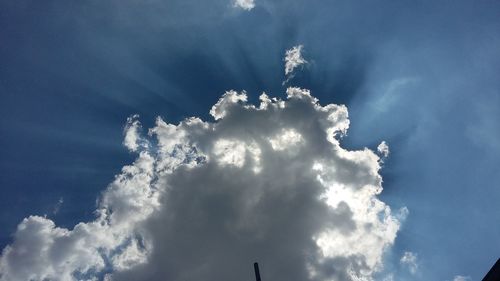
{"x": 204, "y": 200}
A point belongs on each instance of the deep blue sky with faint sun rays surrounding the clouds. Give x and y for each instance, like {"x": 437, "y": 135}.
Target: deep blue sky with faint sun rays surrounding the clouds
{"x": 421, "y": 75}
